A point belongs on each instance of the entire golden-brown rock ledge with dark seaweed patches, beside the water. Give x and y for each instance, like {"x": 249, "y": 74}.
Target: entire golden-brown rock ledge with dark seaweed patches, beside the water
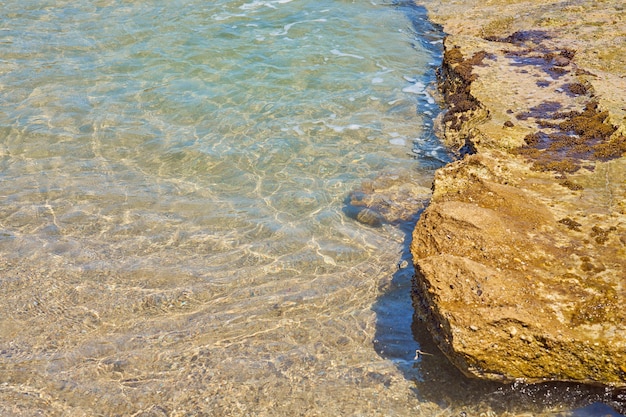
{"x": 521, "y": 255}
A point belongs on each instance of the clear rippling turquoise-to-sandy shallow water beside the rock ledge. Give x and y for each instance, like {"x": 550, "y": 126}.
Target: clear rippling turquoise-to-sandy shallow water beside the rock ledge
{"x": 172, "y": 239}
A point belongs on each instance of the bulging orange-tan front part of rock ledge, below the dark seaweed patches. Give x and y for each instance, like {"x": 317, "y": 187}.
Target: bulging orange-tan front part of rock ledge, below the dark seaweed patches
{"x": 512, "y": 288}
